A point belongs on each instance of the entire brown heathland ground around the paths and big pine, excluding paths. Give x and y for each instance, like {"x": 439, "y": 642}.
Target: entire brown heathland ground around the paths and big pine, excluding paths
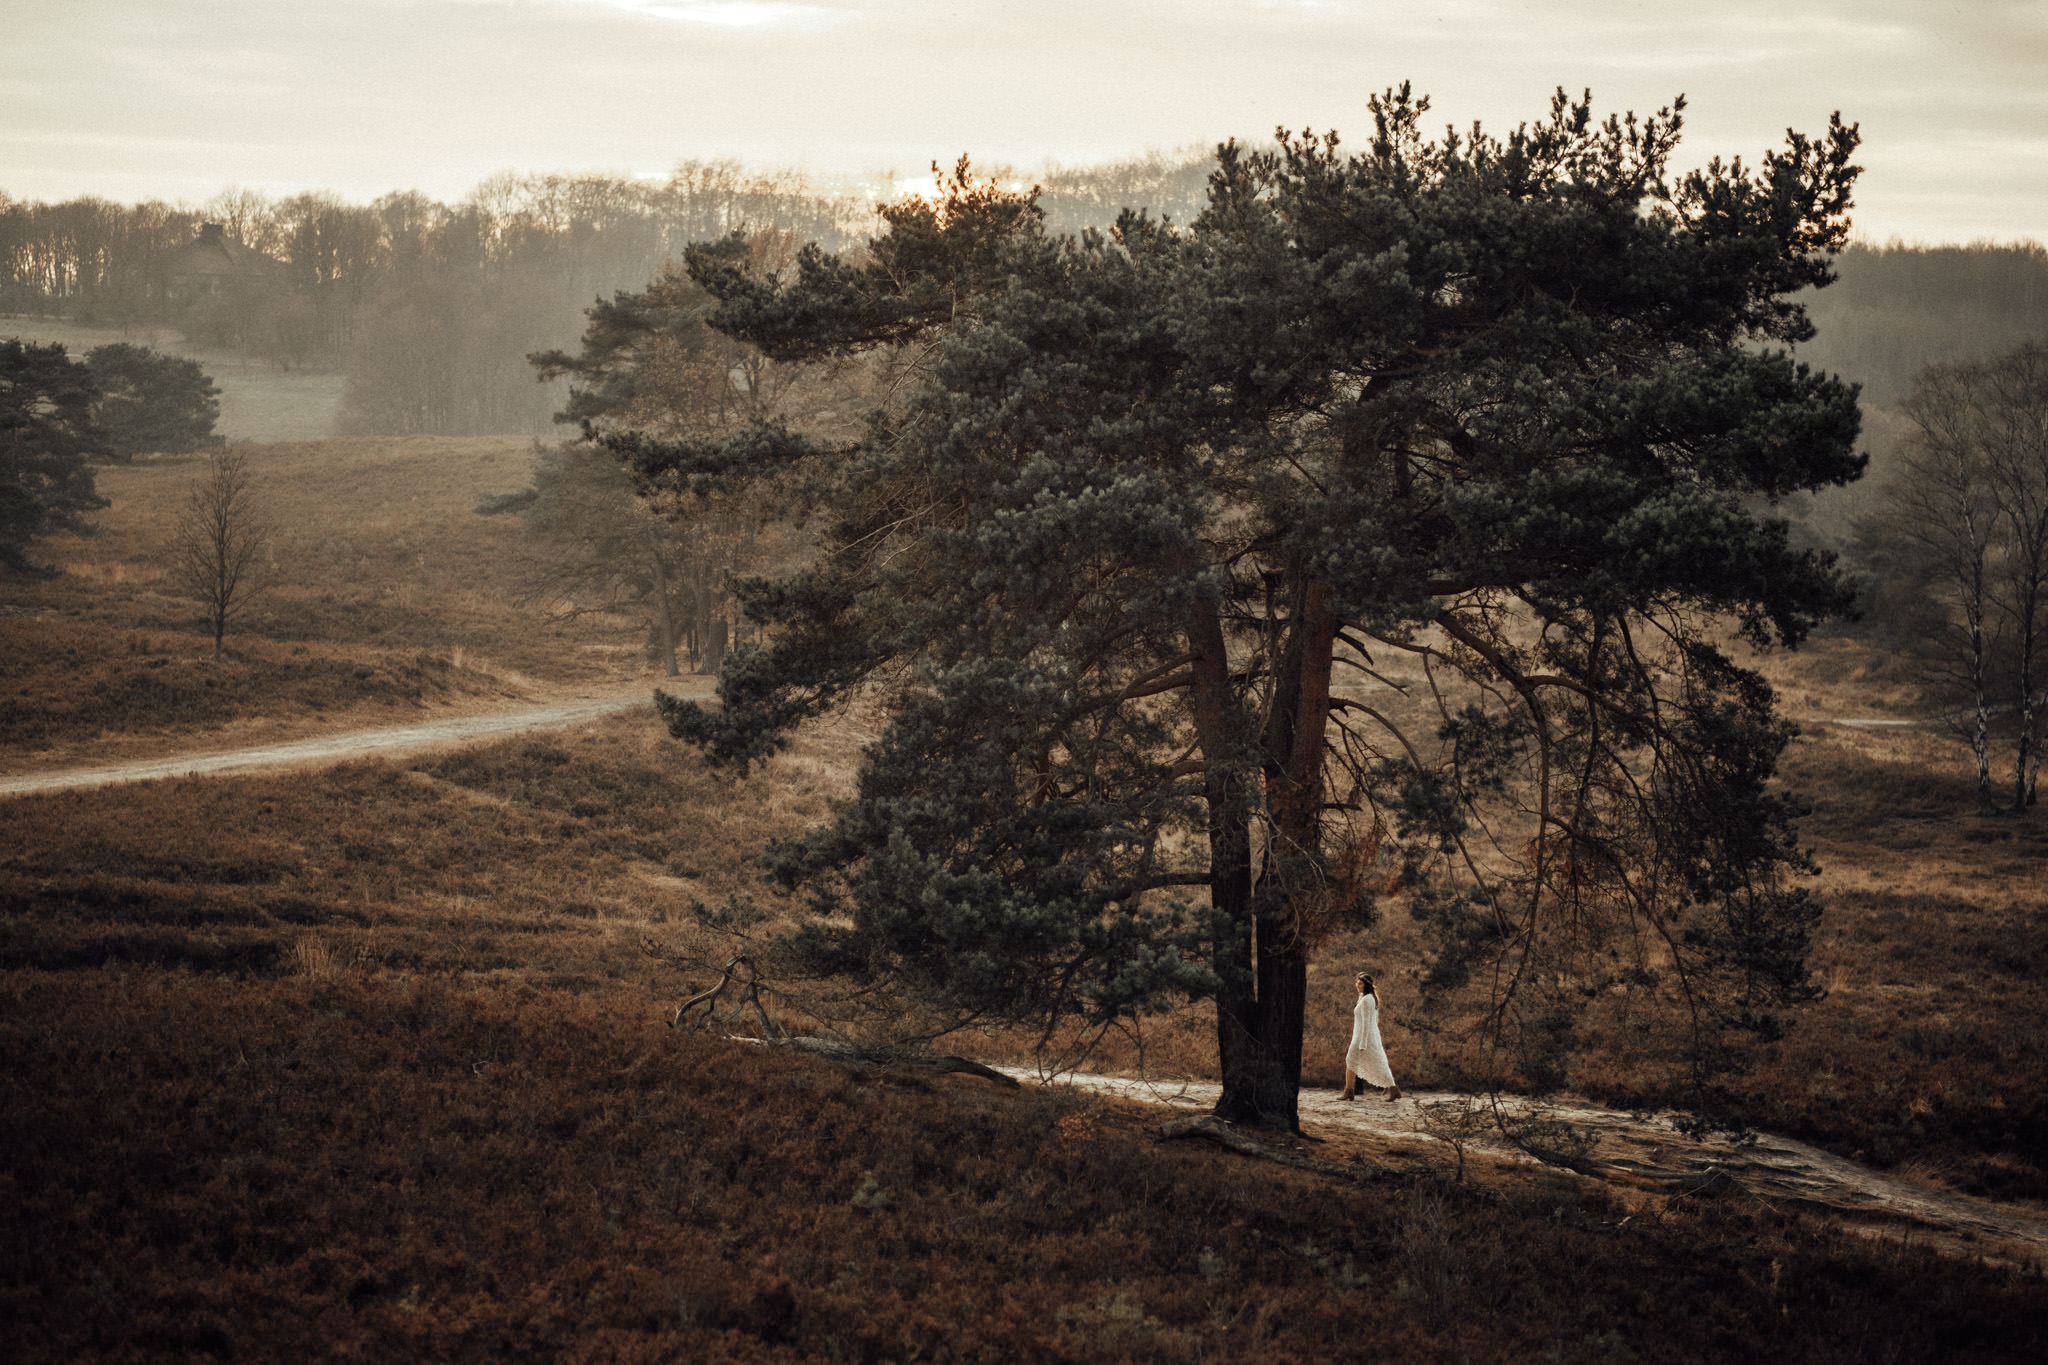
{"x": 372, "y": 1063}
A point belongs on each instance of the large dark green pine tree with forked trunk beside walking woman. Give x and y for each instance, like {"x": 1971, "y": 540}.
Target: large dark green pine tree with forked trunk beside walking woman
{"x": 1506, "y": 408}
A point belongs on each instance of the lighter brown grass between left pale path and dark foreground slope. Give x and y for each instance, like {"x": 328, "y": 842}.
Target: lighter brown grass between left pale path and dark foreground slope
{"x": 544, "y": 861}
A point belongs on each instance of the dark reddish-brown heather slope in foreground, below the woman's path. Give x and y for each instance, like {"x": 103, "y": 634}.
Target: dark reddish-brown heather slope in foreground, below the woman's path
{"x": 398, "y": 1165}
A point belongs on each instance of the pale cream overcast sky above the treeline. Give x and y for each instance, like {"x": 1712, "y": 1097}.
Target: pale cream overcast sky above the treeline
{"x": 179, "y": 99}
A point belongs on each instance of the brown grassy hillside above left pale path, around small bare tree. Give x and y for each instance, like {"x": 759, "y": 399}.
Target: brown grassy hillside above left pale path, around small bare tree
{"x": 382, "y": 590}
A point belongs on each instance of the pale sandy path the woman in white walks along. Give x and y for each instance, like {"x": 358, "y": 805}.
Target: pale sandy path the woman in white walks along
{"x": 1652, "y": 1153}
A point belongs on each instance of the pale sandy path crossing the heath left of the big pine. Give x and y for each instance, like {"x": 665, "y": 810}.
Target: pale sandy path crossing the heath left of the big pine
{"x": 321, "y": 750}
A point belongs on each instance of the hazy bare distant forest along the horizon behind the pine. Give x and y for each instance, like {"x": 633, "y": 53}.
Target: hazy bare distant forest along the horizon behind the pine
{"x": 431, "y": 310}
